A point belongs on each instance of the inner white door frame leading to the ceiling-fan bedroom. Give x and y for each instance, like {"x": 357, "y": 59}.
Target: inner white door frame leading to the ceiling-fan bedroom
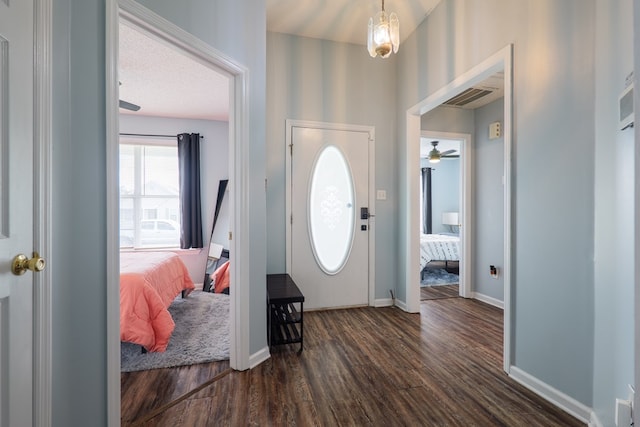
{"x": 466, "y": 207}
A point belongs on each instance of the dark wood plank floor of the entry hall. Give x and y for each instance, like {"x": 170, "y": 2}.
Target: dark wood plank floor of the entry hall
{"x": 366, "y": 366}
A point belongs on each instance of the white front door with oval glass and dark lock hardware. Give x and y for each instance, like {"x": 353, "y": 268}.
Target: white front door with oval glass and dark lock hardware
{"x": 329, "y": 254}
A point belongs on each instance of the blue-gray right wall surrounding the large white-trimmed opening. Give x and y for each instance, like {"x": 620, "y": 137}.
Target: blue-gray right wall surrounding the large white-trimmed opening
{"x": 553, "y": 317}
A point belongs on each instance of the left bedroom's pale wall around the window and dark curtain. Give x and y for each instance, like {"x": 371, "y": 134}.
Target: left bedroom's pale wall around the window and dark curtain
{"x": 214, "y": 166}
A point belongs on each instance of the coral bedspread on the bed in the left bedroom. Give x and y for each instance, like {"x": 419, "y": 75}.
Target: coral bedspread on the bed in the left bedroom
{"x": 149, "y": 282}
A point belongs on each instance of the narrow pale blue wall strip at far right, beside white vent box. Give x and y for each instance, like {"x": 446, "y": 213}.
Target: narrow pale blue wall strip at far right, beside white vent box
{"x": 614, "y": 212}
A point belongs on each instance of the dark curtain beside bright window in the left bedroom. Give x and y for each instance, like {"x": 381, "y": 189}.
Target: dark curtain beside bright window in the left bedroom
{"x": 190, "y": 211}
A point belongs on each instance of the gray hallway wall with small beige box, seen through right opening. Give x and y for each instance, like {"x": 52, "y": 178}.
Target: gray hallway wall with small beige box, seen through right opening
{"x": 488, "y": 201}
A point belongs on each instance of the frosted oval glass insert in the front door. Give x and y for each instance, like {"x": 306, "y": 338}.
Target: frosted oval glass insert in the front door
{"x": 331, "y": 215}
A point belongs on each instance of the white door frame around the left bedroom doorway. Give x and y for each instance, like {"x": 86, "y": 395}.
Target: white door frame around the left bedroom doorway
{"x": 160, "y": 28}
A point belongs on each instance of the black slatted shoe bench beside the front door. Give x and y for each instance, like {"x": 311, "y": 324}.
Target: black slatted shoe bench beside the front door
{"x": 284, "y": 311}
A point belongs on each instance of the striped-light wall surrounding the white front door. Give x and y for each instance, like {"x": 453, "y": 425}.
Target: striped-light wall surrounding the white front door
{"x": 310, "y": 79}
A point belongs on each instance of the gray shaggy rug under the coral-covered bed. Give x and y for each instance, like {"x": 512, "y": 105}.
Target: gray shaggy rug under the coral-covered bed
{"x": 201, "y": 335}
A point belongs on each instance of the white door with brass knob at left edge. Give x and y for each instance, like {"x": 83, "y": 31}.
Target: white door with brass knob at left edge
{"x": 16, "y": 210}
